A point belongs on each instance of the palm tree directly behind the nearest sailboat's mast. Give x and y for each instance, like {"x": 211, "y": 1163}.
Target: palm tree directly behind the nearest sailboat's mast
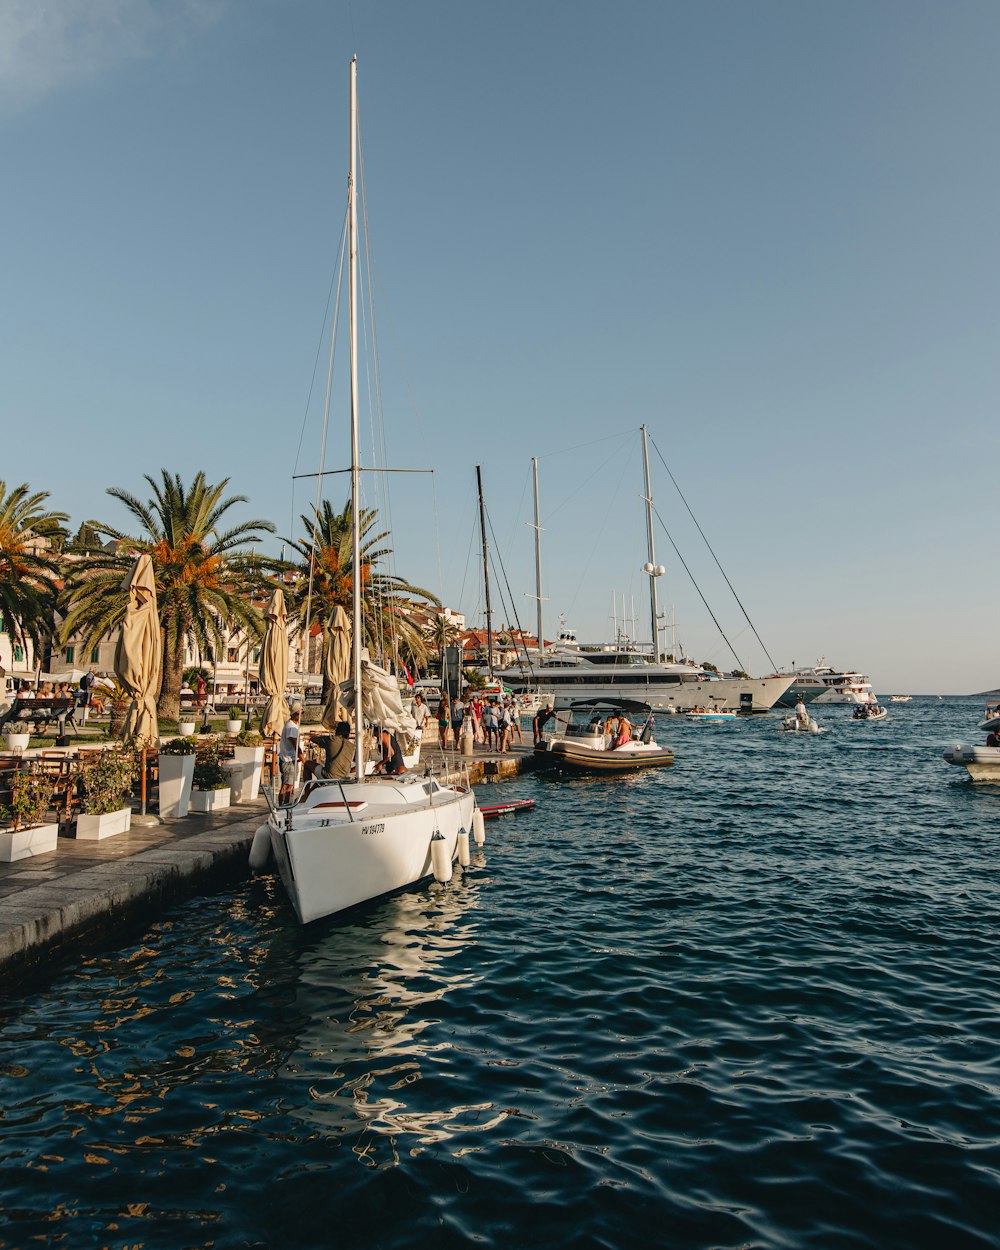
{"x": 391, "y": 628}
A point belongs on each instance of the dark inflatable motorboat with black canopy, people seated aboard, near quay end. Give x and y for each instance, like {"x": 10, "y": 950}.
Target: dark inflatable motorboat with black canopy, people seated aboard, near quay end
{"x": 586, "y": 746}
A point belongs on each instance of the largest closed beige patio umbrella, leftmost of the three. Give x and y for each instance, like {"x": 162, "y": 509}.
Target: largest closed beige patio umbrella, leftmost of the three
{"x": 139, "y": 653}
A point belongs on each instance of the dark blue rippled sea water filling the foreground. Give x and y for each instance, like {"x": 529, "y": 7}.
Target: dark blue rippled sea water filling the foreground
{"x": 752, "y": 1001}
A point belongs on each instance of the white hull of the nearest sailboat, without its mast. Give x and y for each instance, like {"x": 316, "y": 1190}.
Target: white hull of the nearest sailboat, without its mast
{"x": 332, "y": 858}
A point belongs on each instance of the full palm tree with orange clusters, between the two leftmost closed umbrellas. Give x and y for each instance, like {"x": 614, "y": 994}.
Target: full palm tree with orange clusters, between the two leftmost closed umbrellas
{"x": 204, "y": 576}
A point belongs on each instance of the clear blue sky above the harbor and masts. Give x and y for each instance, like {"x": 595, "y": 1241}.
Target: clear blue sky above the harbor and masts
{"x": 767, "y": 231}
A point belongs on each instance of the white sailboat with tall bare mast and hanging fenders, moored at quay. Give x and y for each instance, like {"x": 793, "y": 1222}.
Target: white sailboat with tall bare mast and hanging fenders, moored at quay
{"x": 343, "y": 843}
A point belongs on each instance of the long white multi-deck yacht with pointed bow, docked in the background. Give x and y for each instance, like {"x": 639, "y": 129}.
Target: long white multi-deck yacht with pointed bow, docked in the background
{"x": 571, "y": 672}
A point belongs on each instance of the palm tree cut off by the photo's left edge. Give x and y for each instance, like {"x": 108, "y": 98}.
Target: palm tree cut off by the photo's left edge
{"x": 31, "y": 538}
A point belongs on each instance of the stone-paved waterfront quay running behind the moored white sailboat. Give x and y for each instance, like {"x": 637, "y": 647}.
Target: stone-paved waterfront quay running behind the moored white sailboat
{"x": 56, "y": 904}
